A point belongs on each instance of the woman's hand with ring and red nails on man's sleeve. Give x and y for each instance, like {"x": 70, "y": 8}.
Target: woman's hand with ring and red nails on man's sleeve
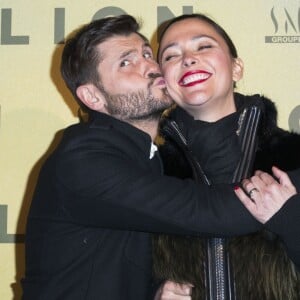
{"x": 263, "y": 196}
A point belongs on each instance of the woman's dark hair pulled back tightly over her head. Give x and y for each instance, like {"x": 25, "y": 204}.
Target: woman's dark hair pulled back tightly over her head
{"x": 204, "y": 18}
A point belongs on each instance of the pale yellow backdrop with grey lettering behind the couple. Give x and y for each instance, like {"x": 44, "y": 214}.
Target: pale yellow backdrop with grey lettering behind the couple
{"x": 35, "y": 105}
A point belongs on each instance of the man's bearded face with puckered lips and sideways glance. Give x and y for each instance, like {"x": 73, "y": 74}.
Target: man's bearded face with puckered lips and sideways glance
{"x": 130, "y": 79}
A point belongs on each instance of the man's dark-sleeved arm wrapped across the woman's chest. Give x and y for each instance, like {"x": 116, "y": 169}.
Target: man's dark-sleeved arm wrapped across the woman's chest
{"x": 107, "y": 190}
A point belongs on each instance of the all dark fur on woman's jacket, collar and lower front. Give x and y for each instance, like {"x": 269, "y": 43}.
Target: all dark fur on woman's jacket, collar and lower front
{"x": 260, "y": 265}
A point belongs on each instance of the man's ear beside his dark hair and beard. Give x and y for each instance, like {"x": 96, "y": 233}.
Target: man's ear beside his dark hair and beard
{"x": 90, "y": 95}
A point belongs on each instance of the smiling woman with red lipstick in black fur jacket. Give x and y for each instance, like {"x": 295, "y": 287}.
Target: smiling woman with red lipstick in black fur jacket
{"x": 217, "y": 136}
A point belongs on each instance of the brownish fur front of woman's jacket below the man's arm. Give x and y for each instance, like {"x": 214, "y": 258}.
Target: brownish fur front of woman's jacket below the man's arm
{"x": 261, "y": 268}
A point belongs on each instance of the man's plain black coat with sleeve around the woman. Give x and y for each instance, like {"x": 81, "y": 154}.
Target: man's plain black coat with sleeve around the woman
{"x": 98, "y": 197}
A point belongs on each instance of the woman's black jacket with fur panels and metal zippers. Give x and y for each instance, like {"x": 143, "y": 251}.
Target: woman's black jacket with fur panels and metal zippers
{"x": 183, "y": 156}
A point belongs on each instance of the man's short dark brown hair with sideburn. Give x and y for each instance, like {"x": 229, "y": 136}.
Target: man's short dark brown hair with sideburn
{"x": 80, "y": 57}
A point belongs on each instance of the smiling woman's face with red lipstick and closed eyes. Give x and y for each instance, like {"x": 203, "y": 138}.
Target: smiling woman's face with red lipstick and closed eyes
{"x": 197, "y": 66}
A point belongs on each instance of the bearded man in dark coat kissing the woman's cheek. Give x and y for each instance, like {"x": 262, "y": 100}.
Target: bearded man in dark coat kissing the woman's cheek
{"x": 102, "y": 192}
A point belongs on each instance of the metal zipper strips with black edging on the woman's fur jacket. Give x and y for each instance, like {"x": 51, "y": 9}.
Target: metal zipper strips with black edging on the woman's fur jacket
{"x": 218, "y": 274}
